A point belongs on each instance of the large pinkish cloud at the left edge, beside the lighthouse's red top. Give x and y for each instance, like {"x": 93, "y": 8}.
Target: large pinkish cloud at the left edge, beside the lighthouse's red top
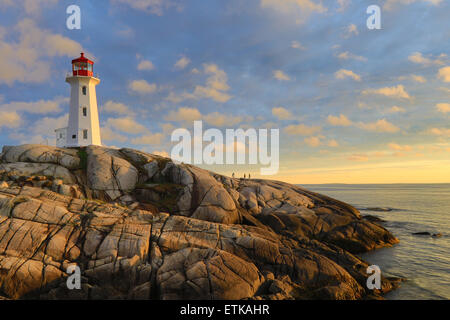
{"x": 29, "y": 60}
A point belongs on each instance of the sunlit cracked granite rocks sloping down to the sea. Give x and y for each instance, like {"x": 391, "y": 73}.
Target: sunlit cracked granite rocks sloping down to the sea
{"x": 140, "y": 226}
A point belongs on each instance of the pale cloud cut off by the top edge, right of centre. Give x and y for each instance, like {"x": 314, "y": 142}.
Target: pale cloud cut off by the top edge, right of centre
{"x": 299, "y": 9}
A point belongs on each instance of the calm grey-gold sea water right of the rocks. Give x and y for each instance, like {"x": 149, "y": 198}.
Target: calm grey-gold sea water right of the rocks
{"x": 407, "y": 208}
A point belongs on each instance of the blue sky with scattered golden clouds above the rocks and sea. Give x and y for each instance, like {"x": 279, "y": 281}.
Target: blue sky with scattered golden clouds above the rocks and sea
{"x": 352, "y": 105}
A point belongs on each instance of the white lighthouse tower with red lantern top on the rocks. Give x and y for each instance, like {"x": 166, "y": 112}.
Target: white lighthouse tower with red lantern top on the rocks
{"x": 83, "y": 128}
